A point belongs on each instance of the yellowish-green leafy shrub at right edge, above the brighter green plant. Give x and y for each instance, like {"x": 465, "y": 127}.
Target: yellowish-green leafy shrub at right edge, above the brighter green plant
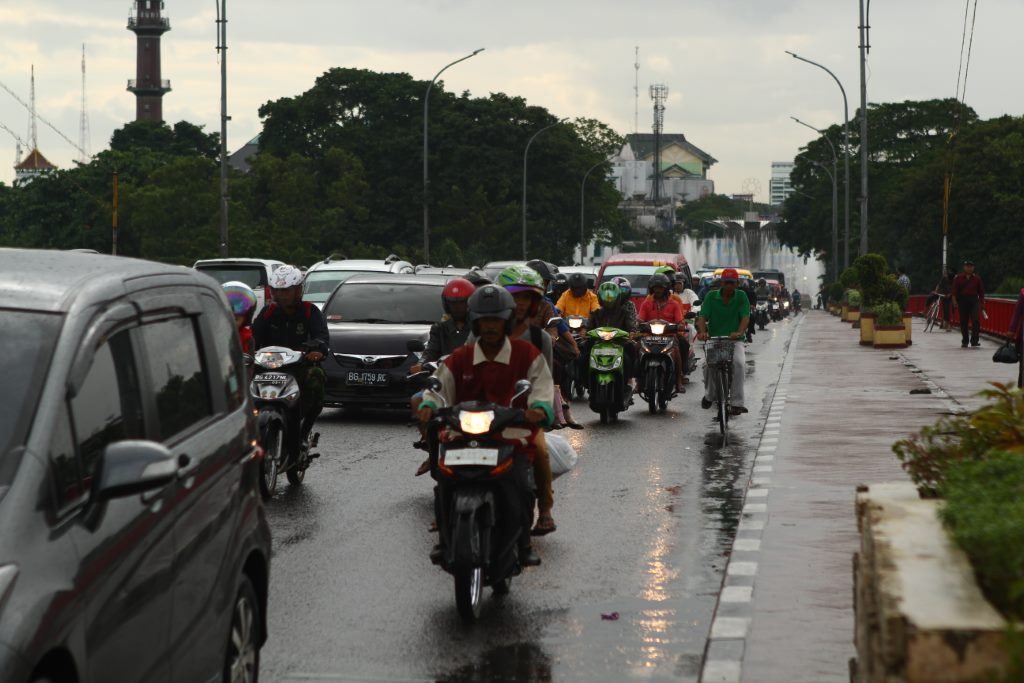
{"x": 998, "y": 425}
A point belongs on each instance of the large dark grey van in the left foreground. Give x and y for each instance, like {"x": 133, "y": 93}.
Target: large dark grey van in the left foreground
{"x": 134, "y": 542}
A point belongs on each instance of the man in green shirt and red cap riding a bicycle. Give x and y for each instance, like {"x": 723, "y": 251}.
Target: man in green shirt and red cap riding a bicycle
{"x": 727, "y": 313}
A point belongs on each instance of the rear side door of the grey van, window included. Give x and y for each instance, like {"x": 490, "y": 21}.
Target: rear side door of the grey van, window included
{"x": 196, "y": 386}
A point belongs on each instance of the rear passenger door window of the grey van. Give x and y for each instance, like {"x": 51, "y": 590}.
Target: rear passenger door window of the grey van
{"x": 177, "y": 375}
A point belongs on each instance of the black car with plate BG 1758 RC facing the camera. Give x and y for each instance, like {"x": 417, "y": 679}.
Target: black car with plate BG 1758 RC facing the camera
{"x": 372, "y": 319}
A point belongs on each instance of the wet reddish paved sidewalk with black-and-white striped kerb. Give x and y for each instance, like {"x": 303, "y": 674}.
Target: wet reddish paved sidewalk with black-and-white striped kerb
{"x": 786, "y": 613}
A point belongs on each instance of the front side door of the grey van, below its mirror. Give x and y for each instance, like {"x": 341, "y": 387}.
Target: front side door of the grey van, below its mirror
{"x": 126, "y": 544}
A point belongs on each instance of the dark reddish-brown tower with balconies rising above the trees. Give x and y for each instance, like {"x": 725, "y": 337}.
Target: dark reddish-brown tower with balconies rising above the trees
{"x": 148, "y": 25}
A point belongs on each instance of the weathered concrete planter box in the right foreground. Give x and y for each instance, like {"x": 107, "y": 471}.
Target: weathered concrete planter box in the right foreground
{"x": 920, "y": 616}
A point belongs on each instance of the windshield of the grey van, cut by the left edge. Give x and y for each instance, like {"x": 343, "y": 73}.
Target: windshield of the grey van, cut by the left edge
{"x": 27, "y": 341}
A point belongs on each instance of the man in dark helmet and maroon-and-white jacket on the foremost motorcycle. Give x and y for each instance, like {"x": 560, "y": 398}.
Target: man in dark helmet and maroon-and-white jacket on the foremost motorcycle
{"x": 488, "y": 369}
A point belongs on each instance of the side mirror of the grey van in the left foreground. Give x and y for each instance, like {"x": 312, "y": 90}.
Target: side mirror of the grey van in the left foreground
{"x": 132, "y": 467}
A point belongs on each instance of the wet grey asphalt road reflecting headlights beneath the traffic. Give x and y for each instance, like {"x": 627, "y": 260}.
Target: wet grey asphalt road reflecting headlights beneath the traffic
{"x": 645, "y": 523}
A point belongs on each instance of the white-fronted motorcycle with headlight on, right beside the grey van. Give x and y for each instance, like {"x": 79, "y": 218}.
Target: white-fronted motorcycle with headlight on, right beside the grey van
{"x": 276, "y": 394}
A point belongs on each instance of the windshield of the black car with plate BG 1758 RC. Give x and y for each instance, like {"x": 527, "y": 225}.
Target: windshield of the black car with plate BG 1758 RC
{"x": 386, "y": 303}
